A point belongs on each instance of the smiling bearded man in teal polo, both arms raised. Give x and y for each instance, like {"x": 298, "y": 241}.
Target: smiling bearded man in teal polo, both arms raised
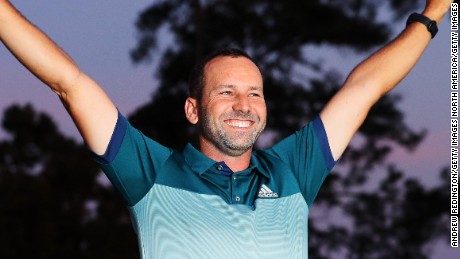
{"x": 224, "y": 199}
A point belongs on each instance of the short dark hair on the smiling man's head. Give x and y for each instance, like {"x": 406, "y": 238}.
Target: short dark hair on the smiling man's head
{"x": 197, "y": 76}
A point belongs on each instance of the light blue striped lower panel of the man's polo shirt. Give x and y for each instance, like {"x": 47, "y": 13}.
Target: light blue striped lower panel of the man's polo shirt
{"x": 183, "y": 224}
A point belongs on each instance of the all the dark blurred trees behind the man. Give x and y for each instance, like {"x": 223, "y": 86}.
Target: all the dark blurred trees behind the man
{"x": 53, "y": 203}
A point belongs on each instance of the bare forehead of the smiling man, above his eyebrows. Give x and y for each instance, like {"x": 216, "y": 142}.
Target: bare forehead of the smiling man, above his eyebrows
{"x": 232, "y": 71}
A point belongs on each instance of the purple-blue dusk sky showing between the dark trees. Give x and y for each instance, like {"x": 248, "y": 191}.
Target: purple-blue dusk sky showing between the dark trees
{"x": 100, "y": 34}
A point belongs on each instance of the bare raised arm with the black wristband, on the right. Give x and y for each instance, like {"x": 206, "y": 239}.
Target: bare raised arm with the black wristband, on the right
{"x": 374, "y": 77}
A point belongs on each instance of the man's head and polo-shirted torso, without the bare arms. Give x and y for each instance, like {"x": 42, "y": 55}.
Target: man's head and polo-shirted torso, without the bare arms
{"x": 222, "y": 199}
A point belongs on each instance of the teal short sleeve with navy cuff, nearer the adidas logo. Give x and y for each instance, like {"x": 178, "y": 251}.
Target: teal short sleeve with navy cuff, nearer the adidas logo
{"x": 308, "y": 154}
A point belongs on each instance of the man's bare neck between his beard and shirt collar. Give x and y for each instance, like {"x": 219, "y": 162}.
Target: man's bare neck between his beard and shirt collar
{"x": 236, "y": 163}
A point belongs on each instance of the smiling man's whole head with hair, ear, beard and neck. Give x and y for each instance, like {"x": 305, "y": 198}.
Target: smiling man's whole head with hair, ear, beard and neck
{"x": 231, "y": 106}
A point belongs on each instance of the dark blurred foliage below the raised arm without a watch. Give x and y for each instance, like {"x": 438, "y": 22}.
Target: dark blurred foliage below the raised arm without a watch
{"x": 52, "y": 204}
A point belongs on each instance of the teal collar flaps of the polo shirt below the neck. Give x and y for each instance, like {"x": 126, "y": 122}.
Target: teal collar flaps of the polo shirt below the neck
{"x": 200, "y": 163}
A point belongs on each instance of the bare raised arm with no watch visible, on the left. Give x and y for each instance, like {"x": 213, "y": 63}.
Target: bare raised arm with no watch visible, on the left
{"x": 91, "y": 109}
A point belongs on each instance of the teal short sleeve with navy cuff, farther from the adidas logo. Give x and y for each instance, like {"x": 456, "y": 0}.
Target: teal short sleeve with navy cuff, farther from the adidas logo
{"x": 131, "y": 161}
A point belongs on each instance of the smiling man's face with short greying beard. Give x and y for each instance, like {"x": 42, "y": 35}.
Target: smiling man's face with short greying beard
{"x": 232, "y": 111}
